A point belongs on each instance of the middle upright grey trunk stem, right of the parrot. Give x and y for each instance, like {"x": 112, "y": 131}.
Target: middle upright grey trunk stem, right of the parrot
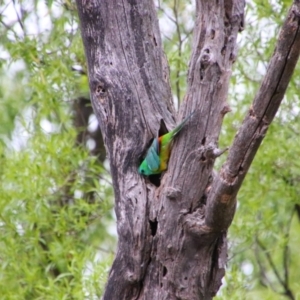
{"x": 190, "y": 259}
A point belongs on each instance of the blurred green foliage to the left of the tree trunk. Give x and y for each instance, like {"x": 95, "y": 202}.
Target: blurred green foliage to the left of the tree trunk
{"x": 56, "y": 199}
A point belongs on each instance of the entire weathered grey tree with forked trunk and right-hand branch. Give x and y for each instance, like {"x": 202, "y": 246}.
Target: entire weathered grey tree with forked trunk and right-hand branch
{"x": 172, "y": 238}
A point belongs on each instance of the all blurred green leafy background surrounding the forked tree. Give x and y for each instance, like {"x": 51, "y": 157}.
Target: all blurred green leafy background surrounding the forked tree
{"x": 57, "y": 226}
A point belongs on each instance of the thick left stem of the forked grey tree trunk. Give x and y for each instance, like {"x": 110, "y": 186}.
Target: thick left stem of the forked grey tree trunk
{"x": 130, "y": 93}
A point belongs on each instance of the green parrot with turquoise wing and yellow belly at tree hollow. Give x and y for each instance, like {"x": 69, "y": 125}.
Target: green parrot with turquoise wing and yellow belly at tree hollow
{"x": 157, "y": 157}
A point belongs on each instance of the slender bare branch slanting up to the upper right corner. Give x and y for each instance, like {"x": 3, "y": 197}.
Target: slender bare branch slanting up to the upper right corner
{"x": 222, "y": 198}
